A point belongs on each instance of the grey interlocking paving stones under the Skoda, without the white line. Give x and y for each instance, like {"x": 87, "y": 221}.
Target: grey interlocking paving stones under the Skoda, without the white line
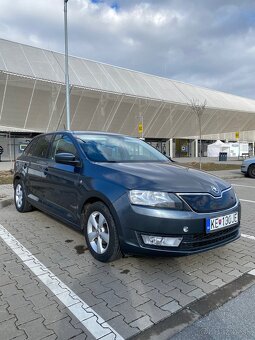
{"x": 131, "y": 294}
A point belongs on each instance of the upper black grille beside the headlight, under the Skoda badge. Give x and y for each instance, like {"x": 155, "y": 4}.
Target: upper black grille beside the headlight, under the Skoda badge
{"x": 205, "y": 203}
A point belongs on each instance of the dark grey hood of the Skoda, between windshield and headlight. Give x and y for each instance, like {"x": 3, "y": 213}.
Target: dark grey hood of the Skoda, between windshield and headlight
{"x": 163, "y": 177}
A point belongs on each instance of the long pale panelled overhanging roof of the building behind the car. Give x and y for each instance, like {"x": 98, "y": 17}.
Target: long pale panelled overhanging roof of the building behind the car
{"x": 109, "y": 98}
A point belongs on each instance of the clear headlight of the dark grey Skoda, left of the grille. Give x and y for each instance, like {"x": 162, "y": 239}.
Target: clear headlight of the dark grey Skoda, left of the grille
{"x": 155, "y": 199}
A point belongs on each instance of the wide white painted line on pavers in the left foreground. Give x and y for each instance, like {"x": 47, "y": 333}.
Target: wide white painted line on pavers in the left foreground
{"x": 85, "y": 314}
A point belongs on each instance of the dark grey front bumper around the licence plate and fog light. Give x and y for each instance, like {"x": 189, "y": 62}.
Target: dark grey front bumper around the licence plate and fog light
{"x": 135, "y": 221}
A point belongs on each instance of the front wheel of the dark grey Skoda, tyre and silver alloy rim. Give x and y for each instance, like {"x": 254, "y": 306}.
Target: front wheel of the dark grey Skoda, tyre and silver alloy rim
{"x": 101, "y": 233}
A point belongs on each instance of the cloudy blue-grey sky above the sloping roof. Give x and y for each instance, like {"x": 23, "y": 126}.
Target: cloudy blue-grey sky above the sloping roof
{"x": 205, "y": 42}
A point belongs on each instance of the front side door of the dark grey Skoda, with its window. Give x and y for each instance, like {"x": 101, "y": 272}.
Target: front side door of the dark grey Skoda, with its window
{"x": 63, "y": 180}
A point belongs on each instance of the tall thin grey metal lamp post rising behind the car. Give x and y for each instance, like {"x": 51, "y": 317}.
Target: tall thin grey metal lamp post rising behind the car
{"x": 66, "y": 69}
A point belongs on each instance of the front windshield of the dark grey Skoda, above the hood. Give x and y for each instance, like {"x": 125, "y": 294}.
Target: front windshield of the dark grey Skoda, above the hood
{"x": 111, "y": 148}
